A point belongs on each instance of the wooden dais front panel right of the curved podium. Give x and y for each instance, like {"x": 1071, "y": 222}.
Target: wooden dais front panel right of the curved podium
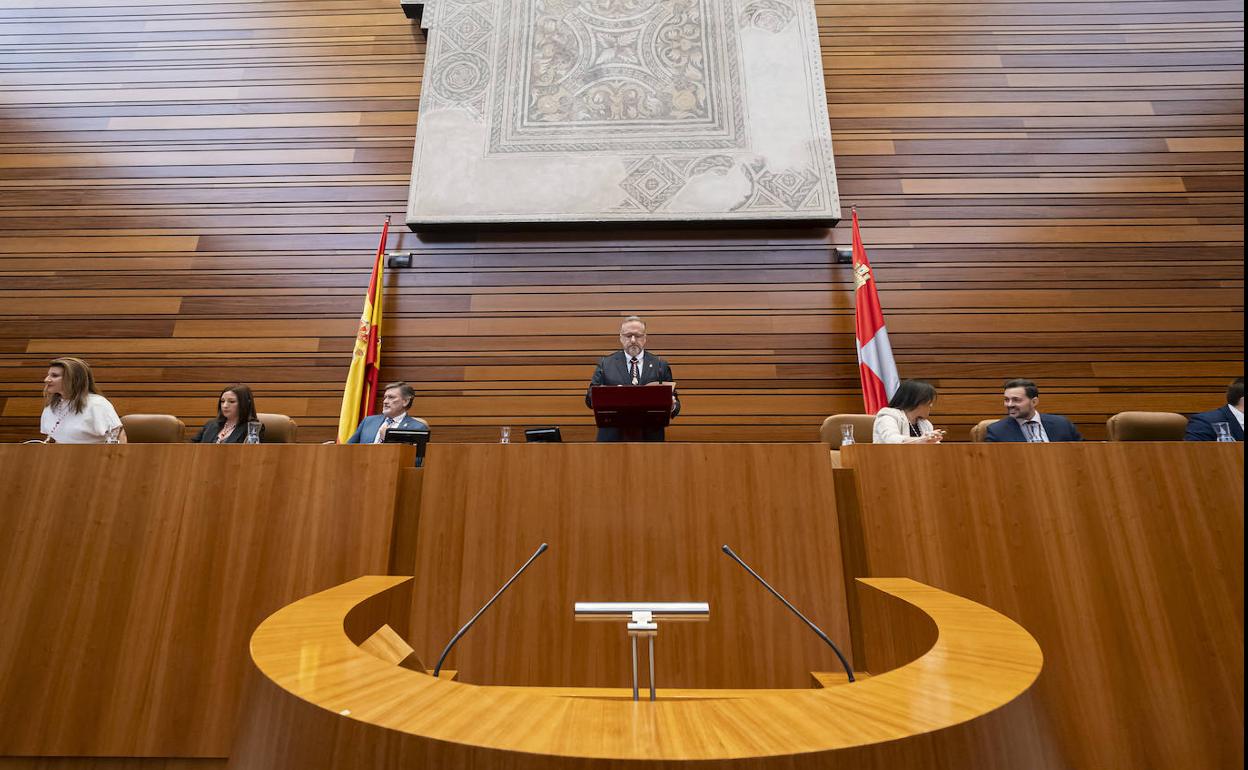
{"x": 1124, "y": 561}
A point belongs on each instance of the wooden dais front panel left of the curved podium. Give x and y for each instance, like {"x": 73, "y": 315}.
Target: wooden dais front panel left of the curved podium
{"x": 132, "y": 580}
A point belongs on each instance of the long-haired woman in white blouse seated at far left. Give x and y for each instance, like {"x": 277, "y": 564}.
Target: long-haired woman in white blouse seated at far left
{"x": 76, "y": 412}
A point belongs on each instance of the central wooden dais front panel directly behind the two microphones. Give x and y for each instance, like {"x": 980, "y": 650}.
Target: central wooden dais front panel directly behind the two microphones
{"x": 486, "y": 509}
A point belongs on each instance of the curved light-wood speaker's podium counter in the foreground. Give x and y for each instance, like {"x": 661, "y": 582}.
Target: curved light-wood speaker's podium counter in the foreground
{"x": 977, "y": 661}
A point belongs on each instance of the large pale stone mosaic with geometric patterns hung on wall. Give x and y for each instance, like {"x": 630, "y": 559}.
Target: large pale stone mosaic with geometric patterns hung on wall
{"x": 622, "y": 110}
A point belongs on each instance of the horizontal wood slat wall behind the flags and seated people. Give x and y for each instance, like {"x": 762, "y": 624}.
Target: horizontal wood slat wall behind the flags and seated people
{"x": 192, "y": 194}
